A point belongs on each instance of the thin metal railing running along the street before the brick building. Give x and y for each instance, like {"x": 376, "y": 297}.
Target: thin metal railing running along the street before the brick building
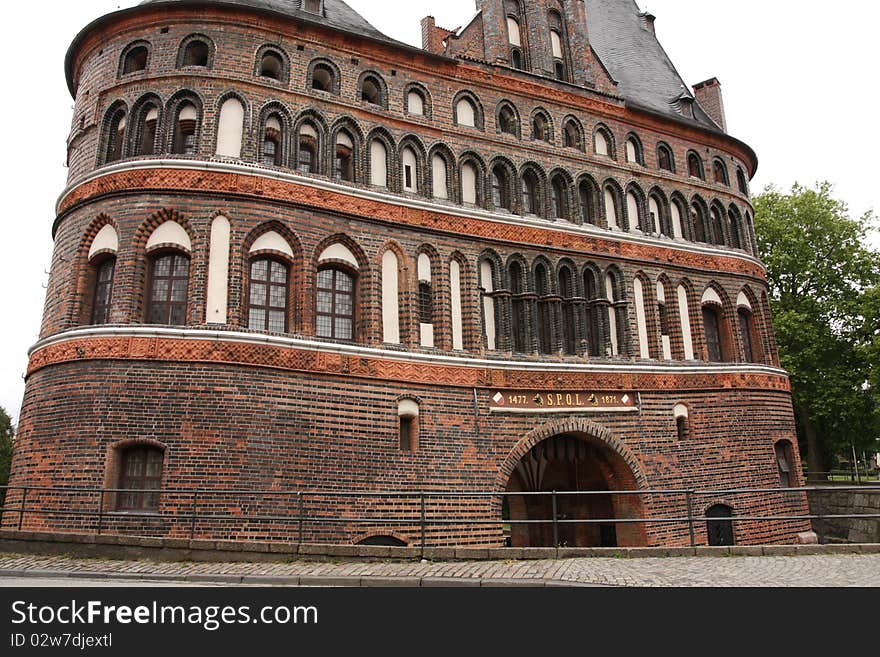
{"x": 424, "y": 518}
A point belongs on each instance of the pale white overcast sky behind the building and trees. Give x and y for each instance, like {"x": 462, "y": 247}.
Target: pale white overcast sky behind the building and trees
{"x": 799, "y": 80}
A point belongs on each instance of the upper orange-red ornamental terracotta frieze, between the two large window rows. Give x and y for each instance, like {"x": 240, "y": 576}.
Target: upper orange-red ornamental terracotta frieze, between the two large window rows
{"x": 289, "y": 192}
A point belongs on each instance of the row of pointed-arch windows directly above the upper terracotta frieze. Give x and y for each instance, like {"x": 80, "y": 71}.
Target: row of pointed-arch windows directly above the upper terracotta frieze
{"x": 343, "y": 152}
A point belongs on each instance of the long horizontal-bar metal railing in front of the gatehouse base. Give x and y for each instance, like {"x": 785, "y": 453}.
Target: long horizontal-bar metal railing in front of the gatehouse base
{"x": 300, "y": 515}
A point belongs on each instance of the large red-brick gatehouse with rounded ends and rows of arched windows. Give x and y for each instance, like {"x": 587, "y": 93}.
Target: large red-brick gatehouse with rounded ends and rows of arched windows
{"x": 296, "y": 255}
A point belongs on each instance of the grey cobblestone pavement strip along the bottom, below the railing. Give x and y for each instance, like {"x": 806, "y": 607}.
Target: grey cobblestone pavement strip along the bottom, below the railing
{"x": 806, "y": 570}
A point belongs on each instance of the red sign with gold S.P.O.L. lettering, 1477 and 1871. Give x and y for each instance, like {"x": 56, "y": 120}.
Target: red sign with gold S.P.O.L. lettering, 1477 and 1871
{"x": 562, "y": 401}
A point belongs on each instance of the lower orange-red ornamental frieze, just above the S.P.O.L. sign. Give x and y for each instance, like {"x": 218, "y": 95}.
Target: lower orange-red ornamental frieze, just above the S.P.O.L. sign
{"x": 377, "y": 368}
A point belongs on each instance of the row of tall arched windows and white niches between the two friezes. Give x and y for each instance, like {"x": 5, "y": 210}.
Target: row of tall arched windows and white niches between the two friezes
{"x": 543, "y": 308}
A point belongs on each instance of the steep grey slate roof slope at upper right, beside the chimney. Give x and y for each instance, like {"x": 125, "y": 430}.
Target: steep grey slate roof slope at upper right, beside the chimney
{"x": 636, "y": 60}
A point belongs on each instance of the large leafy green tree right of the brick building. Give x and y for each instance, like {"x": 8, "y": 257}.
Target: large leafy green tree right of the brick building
{"x": 821, "y": 277}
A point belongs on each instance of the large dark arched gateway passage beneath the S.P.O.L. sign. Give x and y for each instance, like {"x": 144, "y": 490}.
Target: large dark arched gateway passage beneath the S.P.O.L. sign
{"x": 573, "y": 462}
